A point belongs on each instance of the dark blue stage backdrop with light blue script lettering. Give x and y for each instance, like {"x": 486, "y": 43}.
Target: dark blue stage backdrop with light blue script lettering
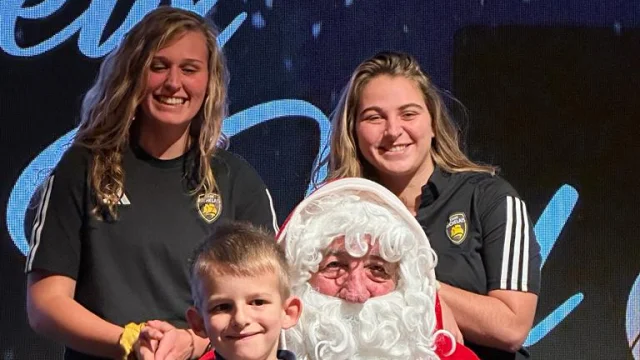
{"x": 550, "y": 89}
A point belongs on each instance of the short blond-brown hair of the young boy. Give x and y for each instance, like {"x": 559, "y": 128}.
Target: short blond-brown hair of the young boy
{"x": 238, "y": 249}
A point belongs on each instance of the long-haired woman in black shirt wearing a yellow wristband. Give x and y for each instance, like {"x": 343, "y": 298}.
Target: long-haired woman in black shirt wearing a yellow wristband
{"x": 144, "y": 181}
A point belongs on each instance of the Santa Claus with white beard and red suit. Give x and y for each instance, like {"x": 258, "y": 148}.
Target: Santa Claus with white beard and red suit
{"x": 364, "y": 269}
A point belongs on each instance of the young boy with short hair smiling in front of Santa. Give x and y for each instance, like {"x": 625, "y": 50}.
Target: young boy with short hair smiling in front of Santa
{"x": 241, "y": 294}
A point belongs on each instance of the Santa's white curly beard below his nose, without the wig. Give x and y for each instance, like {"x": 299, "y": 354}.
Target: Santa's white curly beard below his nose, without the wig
{"x": 393, "y": 326}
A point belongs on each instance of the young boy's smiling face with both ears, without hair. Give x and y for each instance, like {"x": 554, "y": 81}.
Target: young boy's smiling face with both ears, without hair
{"x": 243, "y": 315}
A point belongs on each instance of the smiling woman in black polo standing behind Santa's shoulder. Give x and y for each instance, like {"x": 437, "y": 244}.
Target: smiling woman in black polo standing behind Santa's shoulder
{"x": 391, "y": 126}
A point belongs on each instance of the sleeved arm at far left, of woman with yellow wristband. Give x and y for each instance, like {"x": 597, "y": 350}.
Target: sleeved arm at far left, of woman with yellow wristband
{"x": 53, "y": 261}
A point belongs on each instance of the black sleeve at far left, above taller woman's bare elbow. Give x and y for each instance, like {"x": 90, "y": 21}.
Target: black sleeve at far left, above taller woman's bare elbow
{"x": 58, "y": 213}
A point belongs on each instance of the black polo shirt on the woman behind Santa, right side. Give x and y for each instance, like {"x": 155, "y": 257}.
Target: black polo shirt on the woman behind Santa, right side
{"x": 483, "y": 236}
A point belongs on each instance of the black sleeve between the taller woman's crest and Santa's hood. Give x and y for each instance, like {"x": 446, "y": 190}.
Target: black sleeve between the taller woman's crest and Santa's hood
{"x": 253, "y": 200}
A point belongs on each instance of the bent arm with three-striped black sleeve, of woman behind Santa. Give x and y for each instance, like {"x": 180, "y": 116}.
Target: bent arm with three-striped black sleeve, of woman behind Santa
{"x": 501, "y": 318}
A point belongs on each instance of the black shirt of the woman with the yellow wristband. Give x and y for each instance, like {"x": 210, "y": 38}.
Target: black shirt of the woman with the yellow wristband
{"x": 135, "y": 268}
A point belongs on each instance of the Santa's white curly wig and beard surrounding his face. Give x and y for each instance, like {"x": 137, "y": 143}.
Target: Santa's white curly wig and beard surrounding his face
{"x": 398, "y": 325}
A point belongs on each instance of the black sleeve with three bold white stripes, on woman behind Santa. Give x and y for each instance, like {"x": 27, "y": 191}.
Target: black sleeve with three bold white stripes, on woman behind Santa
{"x": 510, "y": 251}
